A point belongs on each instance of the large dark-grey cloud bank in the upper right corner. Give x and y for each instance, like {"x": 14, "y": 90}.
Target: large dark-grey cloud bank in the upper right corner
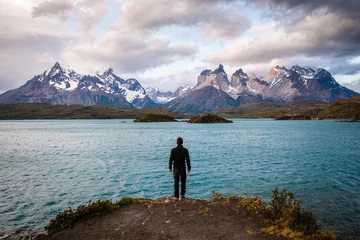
{"x": 318, "y": 30}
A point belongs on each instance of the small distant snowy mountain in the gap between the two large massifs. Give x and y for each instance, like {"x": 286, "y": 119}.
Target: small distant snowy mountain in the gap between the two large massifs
{"x": 162, "y": 97}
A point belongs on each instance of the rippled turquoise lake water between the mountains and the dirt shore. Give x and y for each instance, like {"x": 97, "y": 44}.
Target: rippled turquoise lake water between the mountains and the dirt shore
{"x": 48, "y": 166}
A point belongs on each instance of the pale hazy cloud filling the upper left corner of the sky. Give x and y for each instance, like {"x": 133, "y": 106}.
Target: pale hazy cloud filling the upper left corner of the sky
{"x": 27, "y": 51}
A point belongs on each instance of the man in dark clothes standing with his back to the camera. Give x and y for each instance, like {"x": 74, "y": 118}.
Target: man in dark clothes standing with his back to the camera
{"x": 178, "y": 156}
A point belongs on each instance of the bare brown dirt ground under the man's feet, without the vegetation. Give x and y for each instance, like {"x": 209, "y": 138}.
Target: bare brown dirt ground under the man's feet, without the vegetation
{"x": 168, "y": 219}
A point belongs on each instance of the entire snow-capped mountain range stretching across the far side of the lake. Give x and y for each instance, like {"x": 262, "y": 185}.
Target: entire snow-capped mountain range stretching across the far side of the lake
{"x": 213, "y": 91}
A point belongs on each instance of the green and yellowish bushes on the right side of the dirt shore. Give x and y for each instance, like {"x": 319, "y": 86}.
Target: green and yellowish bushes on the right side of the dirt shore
{"x": 284, "y": 214}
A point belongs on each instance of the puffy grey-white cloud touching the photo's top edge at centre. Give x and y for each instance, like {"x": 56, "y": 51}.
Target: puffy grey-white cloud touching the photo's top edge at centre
{"x": 215, "y": 18}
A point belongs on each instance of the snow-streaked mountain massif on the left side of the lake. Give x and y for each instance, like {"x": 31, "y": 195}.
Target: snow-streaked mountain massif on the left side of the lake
{"x": 62, "y": 85}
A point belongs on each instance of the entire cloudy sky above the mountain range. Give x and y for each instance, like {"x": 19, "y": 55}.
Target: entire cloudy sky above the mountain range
{"x": 167, "y": 43}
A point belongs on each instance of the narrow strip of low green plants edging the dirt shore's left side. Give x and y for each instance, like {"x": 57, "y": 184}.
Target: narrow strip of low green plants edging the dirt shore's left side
{"x": 69, "y": 217}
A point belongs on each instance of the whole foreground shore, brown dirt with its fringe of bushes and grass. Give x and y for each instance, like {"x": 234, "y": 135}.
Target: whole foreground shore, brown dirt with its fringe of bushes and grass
{"x": 231, "y": 217}
